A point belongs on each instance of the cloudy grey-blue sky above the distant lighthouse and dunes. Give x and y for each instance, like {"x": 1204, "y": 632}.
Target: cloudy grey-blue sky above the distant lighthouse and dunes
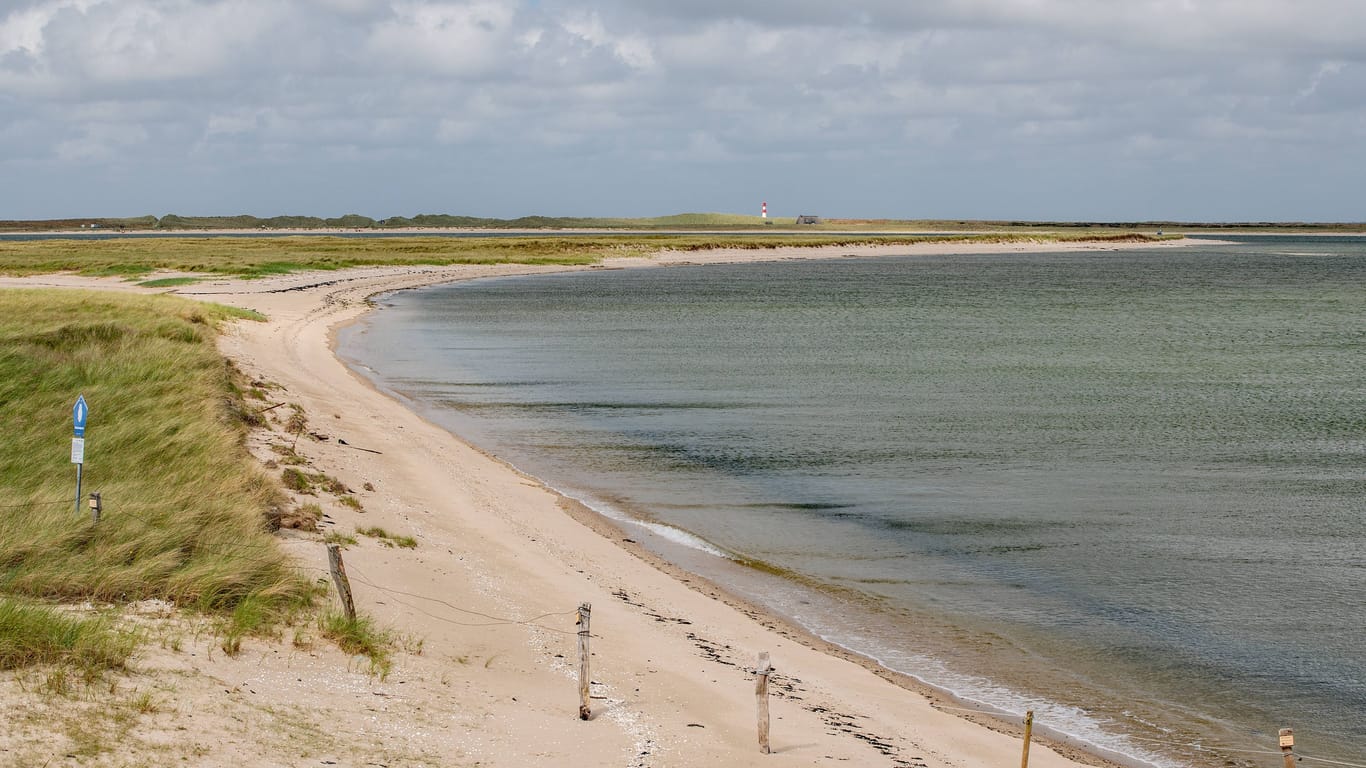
{"x": 1027, "y": 110}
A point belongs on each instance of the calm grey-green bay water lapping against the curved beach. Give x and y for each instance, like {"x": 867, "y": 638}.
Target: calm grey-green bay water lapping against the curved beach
{"x": 1125, "y": 489}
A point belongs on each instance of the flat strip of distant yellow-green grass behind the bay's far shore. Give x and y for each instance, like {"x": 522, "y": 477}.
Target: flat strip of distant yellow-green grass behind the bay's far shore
{"x": 135, "y": 258}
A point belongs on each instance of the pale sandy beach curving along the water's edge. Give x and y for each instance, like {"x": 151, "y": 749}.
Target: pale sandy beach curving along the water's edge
{"x": 487, "y": 602}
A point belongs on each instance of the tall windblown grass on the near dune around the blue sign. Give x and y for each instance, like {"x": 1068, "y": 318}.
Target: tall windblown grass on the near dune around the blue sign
{"x": 185, "y": 508}
